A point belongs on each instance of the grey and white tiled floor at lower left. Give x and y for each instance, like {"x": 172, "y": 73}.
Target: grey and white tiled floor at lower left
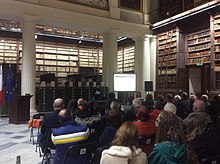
{"x": 14, "y": 141}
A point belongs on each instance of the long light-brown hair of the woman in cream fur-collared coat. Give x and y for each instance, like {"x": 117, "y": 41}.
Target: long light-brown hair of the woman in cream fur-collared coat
{"x": 126, "y": 135}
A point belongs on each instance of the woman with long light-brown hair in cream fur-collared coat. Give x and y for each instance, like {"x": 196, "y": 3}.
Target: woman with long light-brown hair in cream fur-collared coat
{"x": 124, "y": 147}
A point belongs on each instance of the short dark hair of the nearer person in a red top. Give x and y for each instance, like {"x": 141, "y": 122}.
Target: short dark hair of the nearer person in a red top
{"x": 142, "y": 113}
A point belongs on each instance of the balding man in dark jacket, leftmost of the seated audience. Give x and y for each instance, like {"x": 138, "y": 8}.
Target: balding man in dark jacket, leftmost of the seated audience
{"x": 50, "y": 121}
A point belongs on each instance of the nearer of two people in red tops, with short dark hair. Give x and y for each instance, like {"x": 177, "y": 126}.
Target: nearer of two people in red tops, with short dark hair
{"x": 146, "y": 127}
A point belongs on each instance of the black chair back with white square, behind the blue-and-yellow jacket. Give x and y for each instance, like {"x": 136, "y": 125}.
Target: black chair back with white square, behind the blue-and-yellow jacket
{"x": 83, "y": 149}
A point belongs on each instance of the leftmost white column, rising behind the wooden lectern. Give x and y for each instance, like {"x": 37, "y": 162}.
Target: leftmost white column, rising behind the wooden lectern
{"x": 28, "y": 71}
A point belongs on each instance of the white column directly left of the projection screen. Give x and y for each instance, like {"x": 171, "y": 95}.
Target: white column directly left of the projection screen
{"x": 109, "y": 58}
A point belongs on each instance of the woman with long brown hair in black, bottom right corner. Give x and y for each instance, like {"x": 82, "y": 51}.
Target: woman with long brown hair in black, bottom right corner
{"x": 202, "y": 135}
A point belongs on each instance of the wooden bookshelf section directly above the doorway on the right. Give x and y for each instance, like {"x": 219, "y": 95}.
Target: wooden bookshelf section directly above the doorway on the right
{"x": 198, "y": 47}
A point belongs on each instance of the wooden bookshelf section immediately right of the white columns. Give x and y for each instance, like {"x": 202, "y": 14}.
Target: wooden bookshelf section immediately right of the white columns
{"x": 166, "y": 59}
